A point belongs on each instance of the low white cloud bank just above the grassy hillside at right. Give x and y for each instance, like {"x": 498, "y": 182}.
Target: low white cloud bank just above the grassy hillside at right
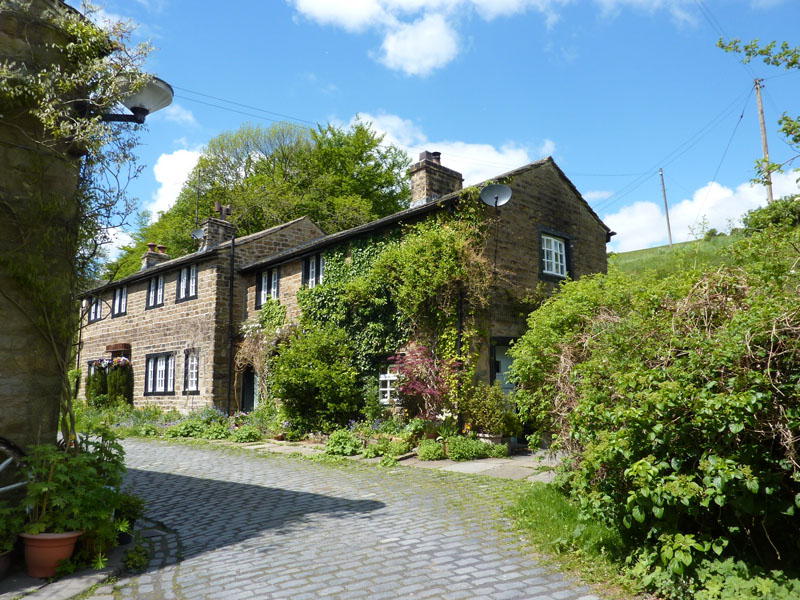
{"x": 643, "y": 224}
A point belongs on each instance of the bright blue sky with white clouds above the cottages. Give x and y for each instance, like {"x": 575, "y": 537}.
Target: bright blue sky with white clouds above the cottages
{"x": 612, "y": 89}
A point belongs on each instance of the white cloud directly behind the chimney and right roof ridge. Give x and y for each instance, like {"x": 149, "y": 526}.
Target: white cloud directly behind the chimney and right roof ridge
{"x": 476, "y": 162}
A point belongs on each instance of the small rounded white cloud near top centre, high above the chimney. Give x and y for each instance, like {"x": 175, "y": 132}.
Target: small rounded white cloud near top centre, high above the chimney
{"x": 420, "y": 47}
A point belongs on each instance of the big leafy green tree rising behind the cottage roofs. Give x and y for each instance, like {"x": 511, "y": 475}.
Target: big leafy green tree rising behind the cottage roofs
{"x": 339, "y": 178}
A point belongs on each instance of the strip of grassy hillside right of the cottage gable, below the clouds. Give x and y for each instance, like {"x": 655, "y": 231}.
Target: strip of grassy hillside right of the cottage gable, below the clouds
{"x": 705, "y": 252}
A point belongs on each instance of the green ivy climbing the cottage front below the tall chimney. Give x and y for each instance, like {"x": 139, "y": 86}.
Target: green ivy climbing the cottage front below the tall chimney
{"x": 407, "y": 284}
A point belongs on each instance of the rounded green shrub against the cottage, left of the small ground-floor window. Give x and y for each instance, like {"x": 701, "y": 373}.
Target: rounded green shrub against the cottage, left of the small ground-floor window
{"x": 316, "y": 380}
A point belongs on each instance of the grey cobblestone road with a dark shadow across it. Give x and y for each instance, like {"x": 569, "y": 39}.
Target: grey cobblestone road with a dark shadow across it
{"x": 238, "y": 525}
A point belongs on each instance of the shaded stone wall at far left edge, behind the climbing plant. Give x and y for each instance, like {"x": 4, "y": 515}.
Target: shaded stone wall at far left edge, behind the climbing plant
{"x": 38, "y": 227}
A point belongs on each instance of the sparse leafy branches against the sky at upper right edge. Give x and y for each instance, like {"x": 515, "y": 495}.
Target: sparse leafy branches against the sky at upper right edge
{"x": 788, "y": 58}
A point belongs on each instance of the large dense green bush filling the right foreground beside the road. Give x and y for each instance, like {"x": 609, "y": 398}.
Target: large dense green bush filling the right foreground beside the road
{"x": 678, "y": 400}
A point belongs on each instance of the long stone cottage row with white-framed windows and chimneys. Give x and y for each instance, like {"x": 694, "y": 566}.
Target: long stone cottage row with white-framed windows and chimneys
{"x": 173, "y": 319}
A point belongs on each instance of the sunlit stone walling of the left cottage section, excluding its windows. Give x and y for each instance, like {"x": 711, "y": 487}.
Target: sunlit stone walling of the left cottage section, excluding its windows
{"x": 201, "y": 324}
